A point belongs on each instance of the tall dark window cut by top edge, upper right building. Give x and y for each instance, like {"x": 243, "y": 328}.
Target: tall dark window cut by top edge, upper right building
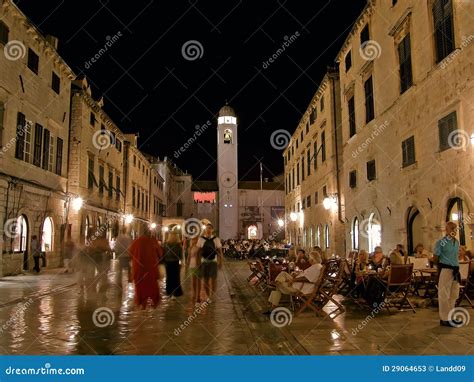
{"x": 444, "y": 28}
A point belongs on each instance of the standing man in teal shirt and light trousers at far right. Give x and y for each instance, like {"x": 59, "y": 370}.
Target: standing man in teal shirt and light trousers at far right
{"x": 446, "y": 256}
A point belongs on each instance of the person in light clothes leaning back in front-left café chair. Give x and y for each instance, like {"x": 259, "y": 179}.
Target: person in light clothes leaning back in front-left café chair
{"x": 300, "y": 283}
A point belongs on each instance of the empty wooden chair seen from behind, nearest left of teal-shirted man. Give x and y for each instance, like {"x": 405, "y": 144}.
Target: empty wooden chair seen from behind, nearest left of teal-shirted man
{"x": 398, "y": 286}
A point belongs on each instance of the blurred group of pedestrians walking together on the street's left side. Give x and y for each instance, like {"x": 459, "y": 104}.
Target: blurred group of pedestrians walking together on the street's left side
{"x": 147, "y": 260}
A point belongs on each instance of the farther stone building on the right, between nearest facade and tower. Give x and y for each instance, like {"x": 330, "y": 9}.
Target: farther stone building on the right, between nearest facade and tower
{"x": 313, "y": 164}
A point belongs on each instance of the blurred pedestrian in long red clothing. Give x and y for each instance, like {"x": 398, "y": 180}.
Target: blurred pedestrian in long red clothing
{"x": 144, "y": 254}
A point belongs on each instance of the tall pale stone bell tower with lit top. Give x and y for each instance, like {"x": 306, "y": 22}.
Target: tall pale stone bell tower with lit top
{"x": 227, "y": 173}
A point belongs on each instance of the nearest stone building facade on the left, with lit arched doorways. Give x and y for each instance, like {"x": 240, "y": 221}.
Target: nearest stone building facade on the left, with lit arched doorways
{"x": 35, "y": 85}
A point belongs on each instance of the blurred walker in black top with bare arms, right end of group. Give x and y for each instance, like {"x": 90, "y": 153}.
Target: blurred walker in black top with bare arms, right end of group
{"x": 210, "y": 252}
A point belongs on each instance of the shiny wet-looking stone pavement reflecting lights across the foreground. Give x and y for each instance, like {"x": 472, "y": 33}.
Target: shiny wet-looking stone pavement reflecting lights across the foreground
{"x": 53, "y": 313}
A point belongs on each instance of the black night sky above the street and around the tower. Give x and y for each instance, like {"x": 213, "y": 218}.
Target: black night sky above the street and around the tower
{"x": 150, "y": 88}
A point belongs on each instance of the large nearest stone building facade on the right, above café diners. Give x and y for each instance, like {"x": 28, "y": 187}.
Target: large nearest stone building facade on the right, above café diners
{"x": 406, "y": 79}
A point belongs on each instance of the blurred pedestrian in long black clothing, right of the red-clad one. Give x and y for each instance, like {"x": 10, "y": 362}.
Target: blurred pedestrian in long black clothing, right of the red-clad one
{"x": 173, "y": 254}
